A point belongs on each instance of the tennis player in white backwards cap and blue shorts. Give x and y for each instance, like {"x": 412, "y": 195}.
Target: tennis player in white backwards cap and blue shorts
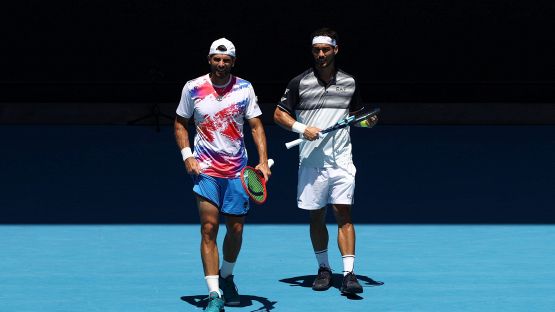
{"x": 220, "y": 102}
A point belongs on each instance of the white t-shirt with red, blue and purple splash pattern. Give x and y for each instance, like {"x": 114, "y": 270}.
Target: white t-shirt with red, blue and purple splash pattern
{"x": 219, "y": 113}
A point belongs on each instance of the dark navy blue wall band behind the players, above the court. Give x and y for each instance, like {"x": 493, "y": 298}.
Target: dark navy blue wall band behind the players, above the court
{"x": 406, "y": 174}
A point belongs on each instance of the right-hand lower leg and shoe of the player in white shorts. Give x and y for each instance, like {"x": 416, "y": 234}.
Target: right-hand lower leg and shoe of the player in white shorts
{"x": 346, "y": 241}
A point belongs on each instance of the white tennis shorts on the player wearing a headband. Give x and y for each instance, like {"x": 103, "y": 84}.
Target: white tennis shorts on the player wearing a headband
{"x": 318, "y": 187}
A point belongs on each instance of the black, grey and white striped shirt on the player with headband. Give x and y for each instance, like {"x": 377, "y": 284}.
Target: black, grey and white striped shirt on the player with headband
{"x": 321, "y": 105}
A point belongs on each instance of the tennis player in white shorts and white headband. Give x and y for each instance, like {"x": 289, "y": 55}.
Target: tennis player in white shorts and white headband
{"x": 316, "y": 99}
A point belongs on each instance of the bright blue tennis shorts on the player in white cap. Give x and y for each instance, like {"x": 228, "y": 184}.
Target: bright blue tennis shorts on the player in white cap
{"x": 227, "y": 194}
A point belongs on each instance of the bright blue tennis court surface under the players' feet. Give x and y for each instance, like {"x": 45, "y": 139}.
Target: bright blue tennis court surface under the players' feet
{"x": 157, "y": 268}
